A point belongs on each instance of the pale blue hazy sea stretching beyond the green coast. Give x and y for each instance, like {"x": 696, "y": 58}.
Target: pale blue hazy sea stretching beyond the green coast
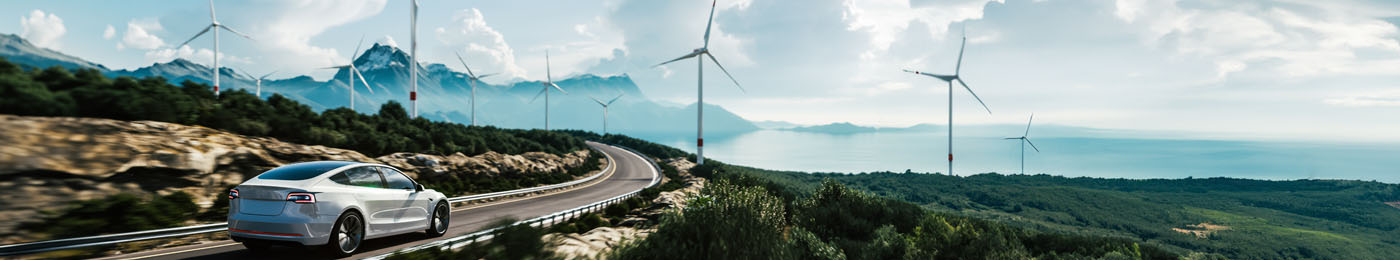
{"x": 1133, "y": 159}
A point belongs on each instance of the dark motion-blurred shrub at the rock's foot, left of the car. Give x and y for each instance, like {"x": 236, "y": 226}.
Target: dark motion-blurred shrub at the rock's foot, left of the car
{"x": 120, "y": 213}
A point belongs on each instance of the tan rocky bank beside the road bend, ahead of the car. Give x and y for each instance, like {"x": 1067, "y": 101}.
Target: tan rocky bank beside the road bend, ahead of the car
{"x": 491, "y": 163}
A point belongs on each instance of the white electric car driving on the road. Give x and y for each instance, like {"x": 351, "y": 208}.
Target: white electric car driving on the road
{"x": 332, "y": 203}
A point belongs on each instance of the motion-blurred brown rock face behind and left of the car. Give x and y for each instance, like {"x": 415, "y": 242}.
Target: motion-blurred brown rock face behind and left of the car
{"x": 45, "y": 163}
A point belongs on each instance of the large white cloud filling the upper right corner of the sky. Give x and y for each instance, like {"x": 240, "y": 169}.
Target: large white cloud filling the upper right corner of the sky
{"x": 1276, "y": 40}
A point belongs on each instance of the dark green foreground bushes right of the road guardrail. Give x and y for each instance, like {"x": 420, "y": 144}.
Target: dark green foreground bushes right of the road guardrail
{"x": 747, "y": 216}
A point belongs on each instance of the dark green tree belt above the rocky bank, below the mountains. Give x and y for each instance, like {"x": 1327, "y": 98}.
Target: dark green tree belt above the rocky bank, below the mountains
{"x": 57, "y": 92}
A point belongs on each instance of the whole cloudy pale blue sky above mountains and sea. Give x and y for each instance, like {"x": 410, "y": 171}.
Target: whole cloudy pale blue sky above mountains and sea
{"x": 1286, "y": 69}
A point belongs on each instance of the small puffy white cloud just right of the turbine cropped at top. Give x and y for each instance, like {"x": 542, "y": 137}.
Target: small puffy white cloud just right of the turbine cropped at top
{"x": 470, "y": 30}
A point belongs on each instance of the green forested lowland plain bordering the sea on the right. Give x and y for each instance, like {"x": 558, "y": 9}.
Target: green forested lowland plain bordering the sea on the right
{"x": 1265, "y": 219}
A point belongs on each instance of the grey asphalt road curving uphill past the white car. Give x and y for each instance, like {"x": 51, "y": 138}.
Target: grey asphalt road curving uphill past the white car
{"x": 631, "y": 173}
